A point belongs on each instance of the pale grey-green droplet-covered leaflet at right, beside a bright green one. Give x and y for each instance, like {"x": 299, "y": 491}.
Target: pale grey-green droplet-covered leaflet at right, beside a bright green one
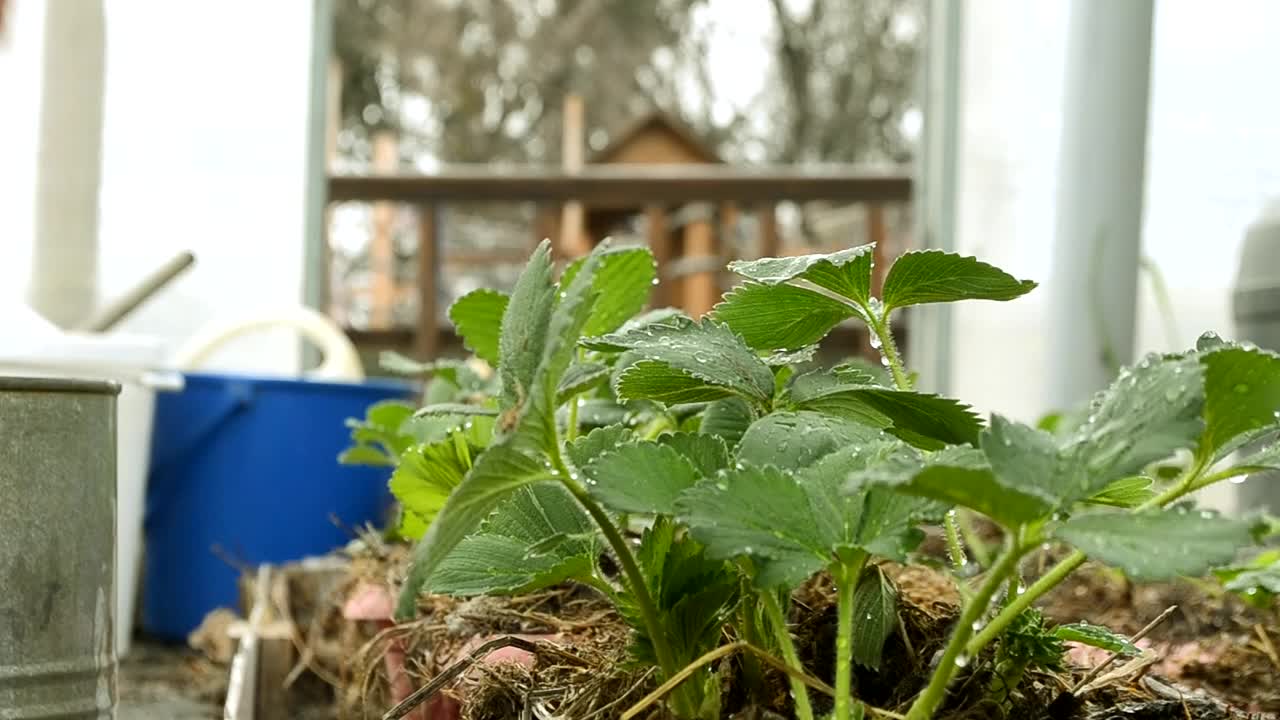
{"x": 1148, "y": 414}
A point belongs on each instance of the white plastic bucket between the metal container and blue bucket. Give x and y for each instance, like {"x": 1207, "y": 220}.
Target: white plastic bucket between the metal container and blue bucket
{"x": 132, "y": 362}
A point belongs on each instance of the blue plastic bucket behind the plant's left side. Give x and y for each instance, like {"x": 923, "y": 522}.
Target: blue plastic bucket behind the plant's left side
{"x": 246, "y": 470}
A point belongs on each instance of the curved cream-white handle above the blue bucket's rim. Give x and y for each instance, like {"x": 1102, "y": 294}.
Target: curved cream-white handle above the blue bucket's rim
{"x": 341, "y": 361}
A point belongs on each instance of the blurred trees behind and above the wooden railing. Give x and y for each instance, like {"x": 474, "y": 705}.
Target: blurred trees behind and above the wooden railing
{"x": 484, "y": 81}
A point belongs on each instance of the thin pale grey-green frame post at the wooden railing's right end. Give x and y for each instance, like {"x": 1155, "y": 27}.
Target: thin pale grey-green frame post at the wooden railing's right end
{"x": 930, "y": 341}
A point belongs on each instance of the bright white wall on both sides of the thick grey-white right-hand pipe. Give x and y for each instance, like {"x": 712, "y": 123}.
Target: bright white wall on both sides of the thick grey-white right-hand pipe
{"x": 1214, "y": 158}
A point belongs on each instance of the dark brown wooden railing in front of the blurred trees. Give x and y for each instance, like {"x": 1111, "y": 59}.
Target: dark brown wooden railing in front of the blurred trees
{"x": 652, "y": 190}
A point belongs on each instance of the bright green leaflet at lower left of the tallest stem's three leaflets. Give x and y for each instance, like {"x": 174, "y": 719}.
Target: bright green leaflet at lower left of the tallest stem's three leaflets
{"x": 780, "y": 316}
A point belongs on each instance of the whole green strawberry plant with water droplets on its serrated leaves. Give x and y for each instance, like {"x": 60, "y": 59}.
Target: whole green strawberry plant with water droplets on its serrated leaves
{"x": 752, "y": 470}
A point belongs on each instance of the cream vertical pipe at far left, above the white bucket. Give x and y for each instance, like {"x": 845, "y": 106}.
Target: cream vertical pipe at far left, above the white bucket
{"x": 68, "y": 171}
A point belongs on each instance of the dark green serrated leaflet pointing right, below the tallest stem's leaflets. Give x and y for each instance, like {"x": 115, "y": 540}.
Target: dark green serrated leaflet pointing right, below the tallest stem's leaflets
{"x": 941, "y": 420}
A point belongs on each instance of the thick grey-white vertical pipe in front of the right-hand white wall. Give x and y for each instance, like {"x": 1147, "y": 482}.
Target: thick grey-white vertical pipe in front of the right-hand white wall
{"x": 1101, "y": 180}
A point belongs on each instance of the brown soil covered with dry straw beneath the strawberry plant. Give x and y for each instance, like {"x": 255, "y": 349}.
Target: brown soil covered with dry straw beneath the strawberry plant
{"x": 1214, "y": 658}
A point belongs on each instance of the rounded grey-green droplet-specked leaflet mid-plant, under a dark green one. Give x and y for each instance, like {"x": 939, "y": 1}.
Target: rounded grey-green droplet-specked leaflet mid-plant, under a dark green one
{"x": 796, "y": 440}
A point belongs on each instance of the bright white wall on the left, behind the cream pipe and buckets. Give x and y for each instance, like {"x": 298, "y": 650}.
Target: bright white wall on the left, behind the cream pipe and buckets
{"x": 204, "y": 151}
